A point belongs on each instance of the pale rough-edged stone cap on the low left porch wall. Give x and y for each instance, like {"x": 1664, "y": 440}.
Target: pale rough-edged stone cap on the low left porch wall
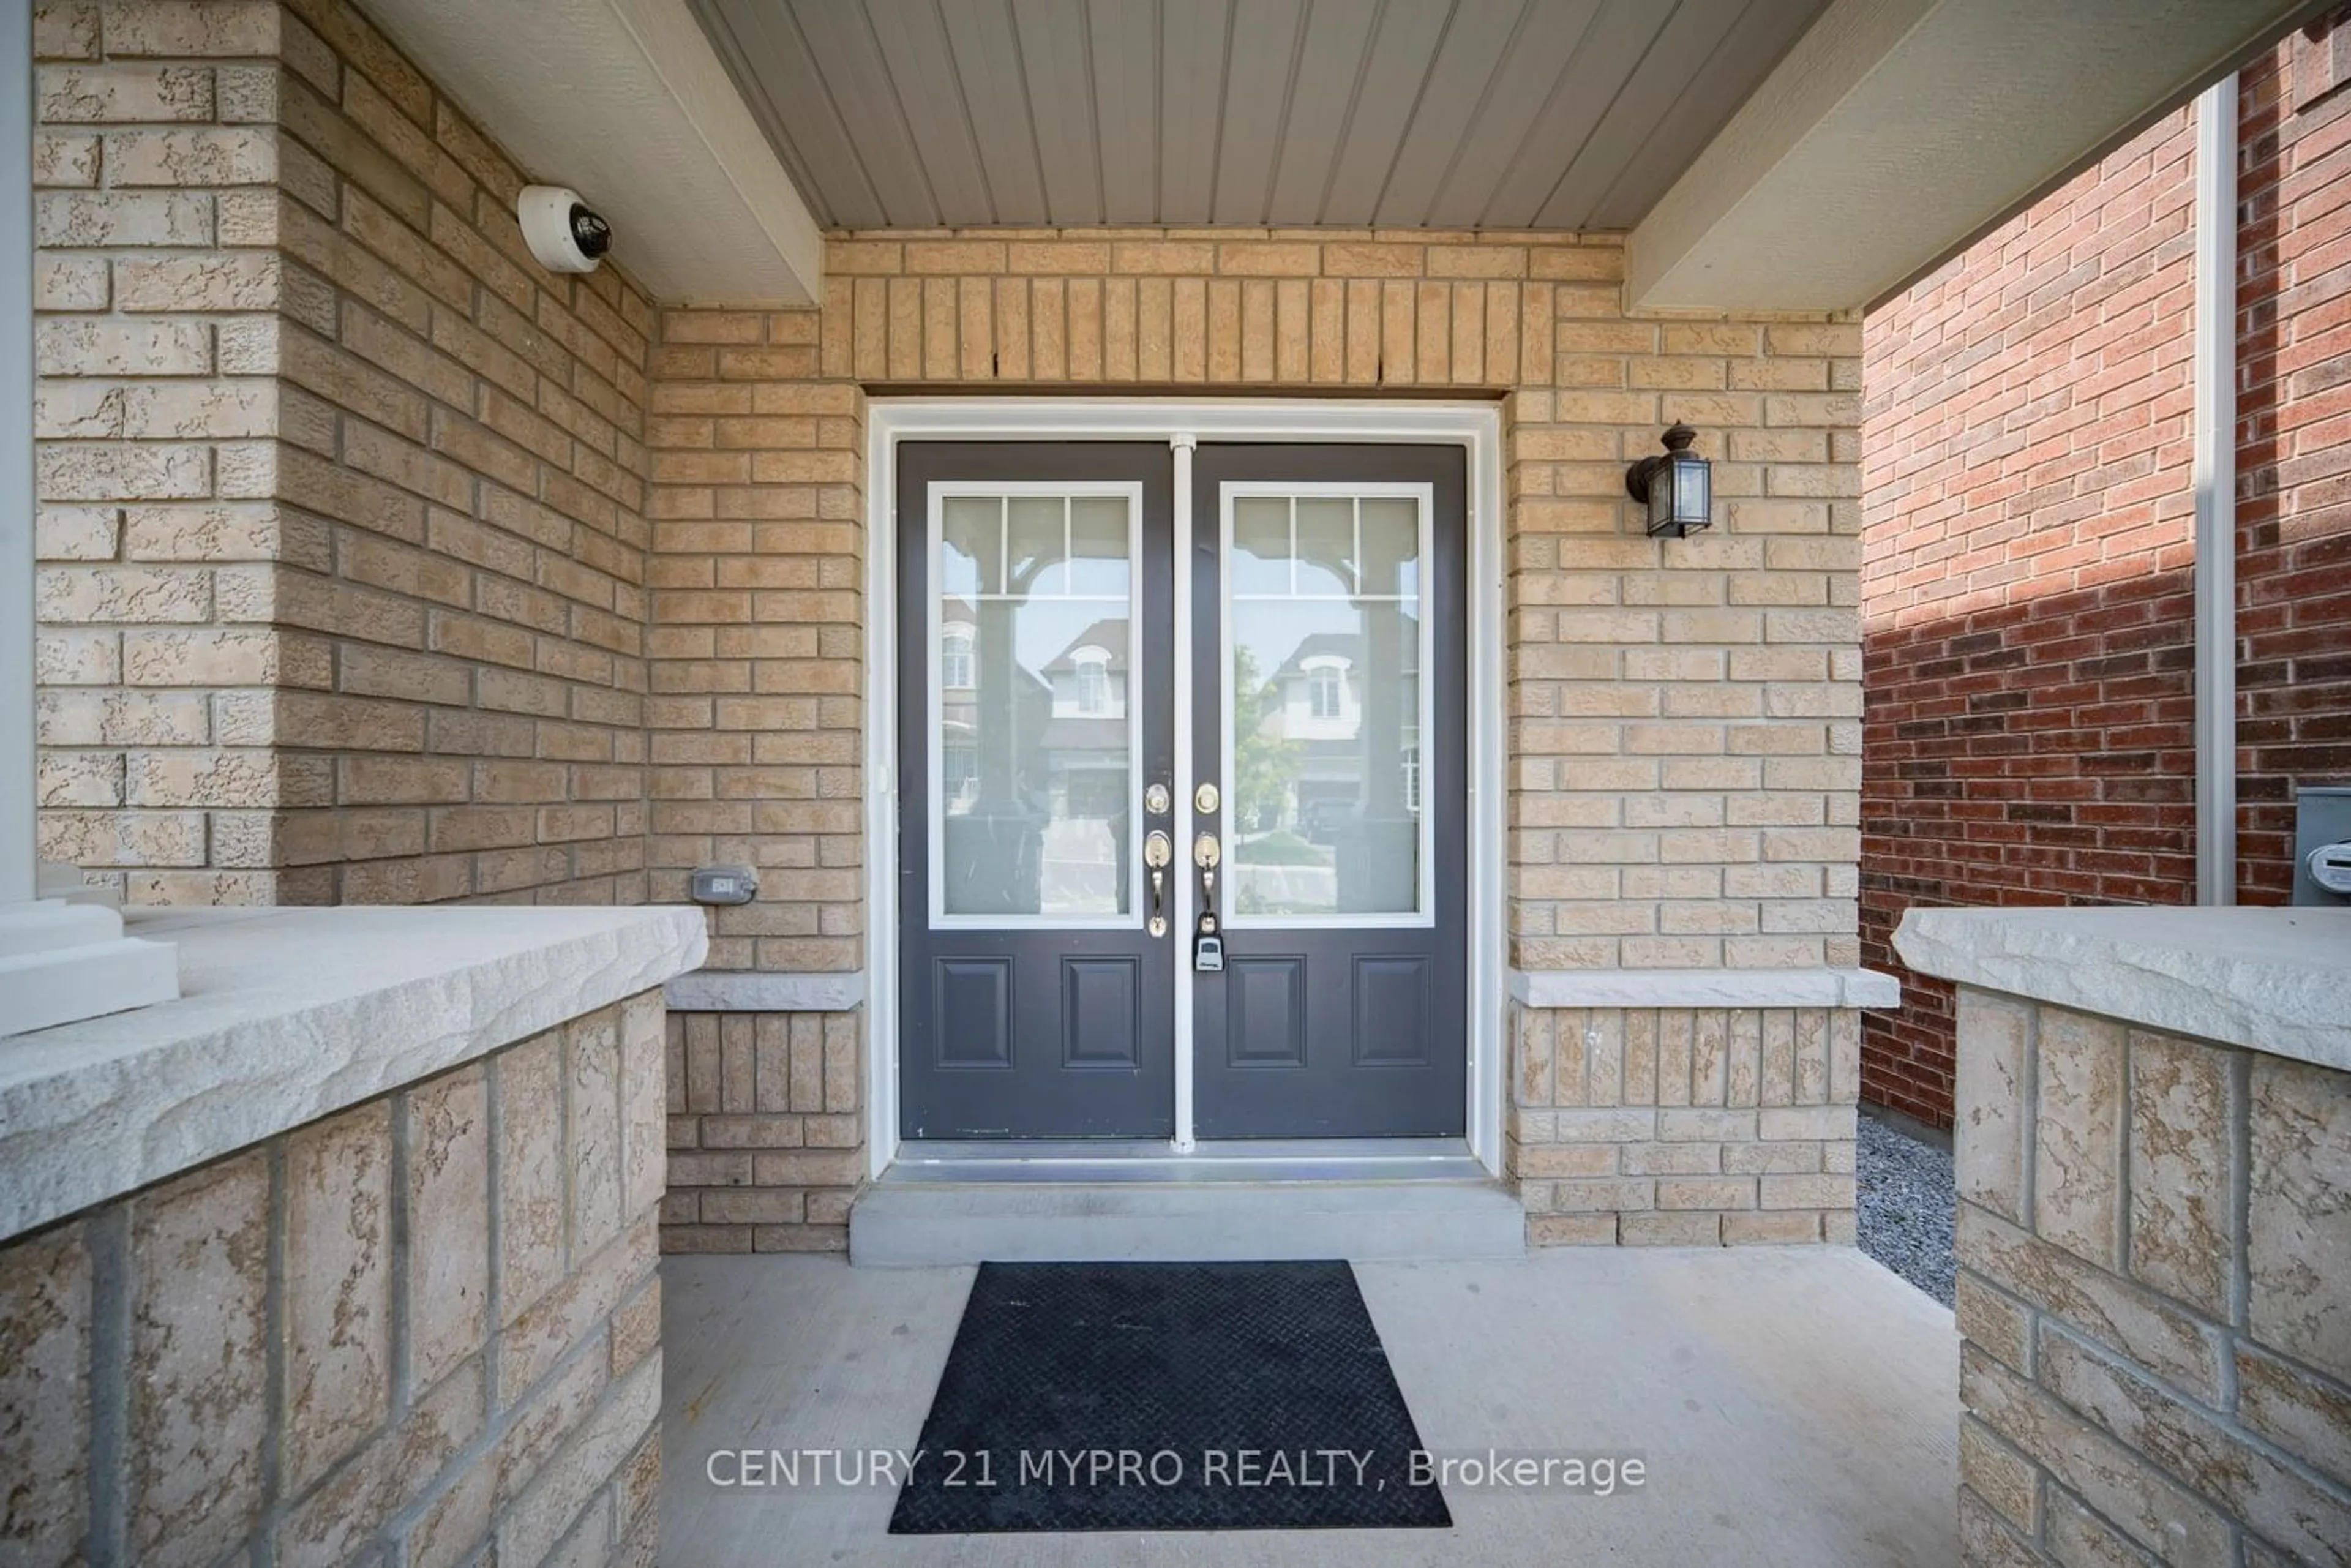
{"x": 295, "y": 1014}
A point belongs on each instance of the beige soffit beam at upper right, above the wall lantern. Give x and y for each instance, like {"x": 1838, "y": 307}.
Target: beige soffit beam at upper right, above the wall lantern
{"x": 1901, "y": 130}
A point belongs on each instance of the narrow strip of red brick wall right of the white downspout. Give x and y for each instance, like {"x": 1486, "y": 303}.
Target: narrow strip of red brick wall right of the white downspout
{"x": 2293, "y": 509}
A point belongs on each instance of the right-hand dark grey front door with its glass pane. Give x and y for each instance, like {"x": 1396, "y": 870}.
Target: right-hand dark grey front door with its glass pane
{"x": 1386, "y": 1050}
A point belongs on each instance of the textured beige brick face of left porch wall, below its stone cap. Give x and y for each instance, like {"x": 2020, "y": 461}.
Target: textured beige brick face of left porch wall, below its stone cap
{"x": 328, "y": 1351}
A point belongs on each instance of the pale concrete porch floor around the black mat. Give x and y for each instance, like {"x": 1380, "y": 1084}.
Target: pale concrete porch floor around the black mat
{"x": 1793, "y": 1407}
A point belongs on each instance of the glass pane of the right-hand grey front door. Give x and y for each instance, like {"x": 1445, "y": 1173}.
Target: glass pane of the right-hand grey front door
{"x": 1325, "y": 709}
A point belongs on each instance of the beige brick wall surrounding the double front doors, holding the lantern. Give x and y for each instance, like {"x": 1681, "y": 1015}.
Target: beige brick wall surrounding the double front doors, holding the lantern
{"x": 1684, "y": 716}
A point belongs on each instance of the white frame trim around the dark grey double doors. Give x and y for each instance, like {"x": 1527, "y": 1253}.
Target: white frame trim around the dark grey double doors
{"x": 1181, "y": 422}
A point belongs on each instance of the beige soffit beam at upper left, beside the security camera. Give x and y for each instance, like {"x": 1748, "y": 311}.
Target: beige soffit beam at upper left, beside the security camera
{"x": 627, "y": 105}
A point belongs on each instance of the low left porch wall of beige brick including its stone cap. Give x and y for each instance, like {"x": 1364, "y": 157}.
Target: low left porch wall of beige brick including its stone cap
{"x": 255, "y": 1306}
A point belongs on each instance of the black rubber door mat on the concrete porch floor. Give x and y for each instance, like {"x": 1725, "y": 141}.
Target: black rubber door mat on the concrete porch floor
{"x": 1167, "y": 1398}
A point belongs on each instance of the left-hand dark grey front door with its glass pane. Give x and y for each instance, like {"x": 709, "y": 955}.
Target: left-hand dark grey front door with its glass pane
{"x": 1040, "y": 824}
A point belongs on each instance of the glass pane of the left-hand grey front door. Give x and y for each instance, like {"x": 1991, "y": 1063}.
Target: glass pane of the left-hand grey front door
{"x": 1038, "y": 728}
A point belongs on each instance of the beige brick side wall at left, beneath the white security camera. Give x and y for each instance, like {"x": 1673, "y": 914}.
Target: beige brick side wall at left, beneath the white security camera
{"x": 342, "y": 497}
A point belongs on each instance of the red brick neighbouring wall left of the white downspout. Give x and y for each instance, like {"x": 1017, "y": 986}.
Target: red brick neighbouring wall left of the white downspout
{"x": 2028, "y": 605}
